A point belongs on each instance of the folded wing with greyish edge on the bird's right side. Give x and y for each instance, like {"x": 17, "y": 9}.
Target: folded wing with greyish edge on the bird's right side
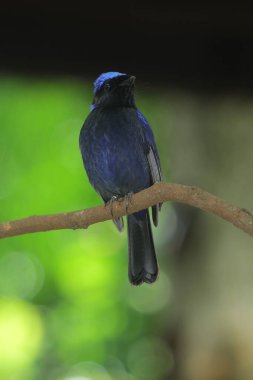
{"x": 152, "y": 158}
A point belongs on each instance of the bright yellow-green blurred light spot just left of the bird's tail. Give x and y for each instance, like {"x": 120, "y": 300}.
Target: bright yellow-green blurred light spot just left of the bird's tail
{"x": 89, "y": 262}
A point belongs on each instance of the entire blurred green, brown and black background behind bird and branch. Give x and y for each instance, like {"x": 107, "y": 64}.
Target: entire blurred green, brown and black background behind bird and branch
{"x": 67, "y": 311}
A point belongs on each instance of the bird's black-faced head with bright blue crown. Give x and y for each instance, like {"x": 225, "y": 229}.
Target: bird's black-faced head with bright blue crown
{"x": 114, "y": 89}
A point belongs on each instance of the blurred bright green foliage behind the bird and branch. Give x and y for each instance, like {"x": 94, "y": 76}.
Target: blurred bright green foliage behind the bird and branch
{"x": 66, "y": 308}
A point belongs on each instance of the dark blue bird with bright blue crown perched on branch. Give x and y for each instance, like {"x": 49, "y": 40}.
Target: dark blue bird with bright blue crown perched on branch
{"x": 120, "y": 157}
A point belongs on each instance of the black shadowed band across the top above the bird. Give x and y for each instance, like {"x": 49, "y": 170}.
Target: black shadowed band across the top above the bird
{"x": 206, "y": 47}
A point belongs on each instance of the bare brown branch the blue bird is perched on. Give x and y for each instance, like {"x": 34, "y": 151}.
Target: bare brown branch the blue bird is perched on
{"x": 160, "y": 192}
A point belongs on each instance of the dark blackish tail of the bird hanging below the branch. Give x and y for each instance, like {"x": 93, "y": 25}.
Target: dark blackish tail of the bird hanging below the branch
{"x": 142, "y": 257}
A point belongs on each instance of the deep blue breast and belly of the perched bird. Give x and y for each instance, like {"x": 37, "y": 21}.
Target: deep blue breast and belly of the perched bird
{"x": 113, "y": 152}
